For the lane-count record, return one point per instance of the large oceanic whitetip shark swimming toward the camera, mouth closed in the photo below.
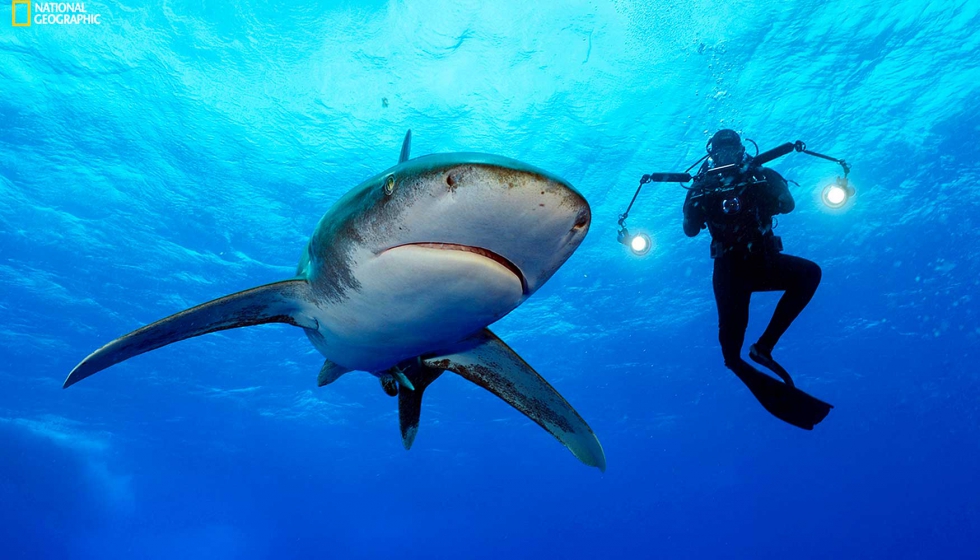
(401, 278)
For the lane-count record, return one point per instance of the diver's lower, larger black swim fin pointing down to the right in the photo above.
(783, 401)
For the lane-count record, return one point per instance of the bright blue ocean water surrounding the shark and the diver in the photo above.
(180, 151)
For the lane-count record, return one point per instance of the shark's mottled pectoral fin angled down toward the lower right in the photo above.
(485, 360)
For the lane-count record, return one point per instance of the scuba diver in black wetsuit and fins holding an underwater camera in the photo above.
(737, 206)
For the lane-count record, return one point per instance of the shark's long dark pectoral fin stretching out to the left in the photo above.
(281, 302)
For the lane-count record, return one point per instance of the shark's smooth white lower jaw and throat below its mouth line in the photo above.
(414, 300)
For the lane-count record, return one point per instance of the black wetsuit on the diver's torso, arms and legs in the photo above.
(738, 211)
